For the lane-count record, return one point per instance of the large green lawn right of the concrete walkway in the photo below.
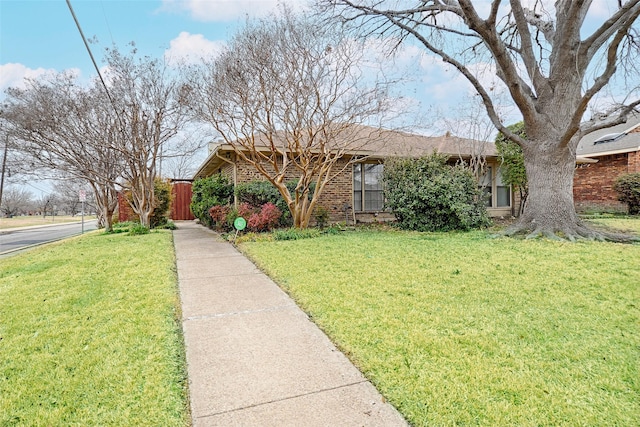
(461, 329)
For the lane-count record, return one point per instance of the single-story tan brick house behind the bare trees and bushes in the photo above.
(356, 194)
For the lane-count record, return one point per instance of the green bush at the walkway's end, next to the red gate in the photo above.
(208, 192)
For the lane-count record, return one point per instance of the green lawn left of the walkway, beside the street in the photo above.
(89, 334)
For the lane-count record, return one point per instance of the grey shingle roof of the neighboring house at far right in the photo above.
(624, 138)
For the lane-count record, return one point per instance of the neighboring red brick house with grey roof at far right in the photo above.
(602, 157)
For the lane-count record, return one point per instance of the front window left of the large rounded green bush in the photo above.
(367, 187)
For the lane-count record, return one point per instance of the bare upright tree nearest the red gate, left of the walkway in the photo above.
(151, 102)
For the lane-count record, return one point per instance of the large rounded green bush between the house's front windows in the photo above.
(427, 194)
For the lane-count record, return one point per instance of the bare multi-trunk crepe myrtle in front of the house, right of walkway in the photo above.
(290, 96)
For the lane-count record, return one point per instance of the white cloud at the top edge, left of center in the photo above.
(225, 10)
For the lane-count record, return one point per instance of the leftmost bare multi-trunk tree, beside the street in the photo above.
(67, 129)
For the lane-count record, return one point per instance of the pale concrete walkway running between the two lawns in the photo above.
(254, 358)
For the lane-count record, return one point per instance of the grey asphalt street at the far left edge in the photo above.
(17, 239)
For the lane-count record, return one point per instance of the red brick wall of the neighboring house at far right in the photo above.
(593, 182)
